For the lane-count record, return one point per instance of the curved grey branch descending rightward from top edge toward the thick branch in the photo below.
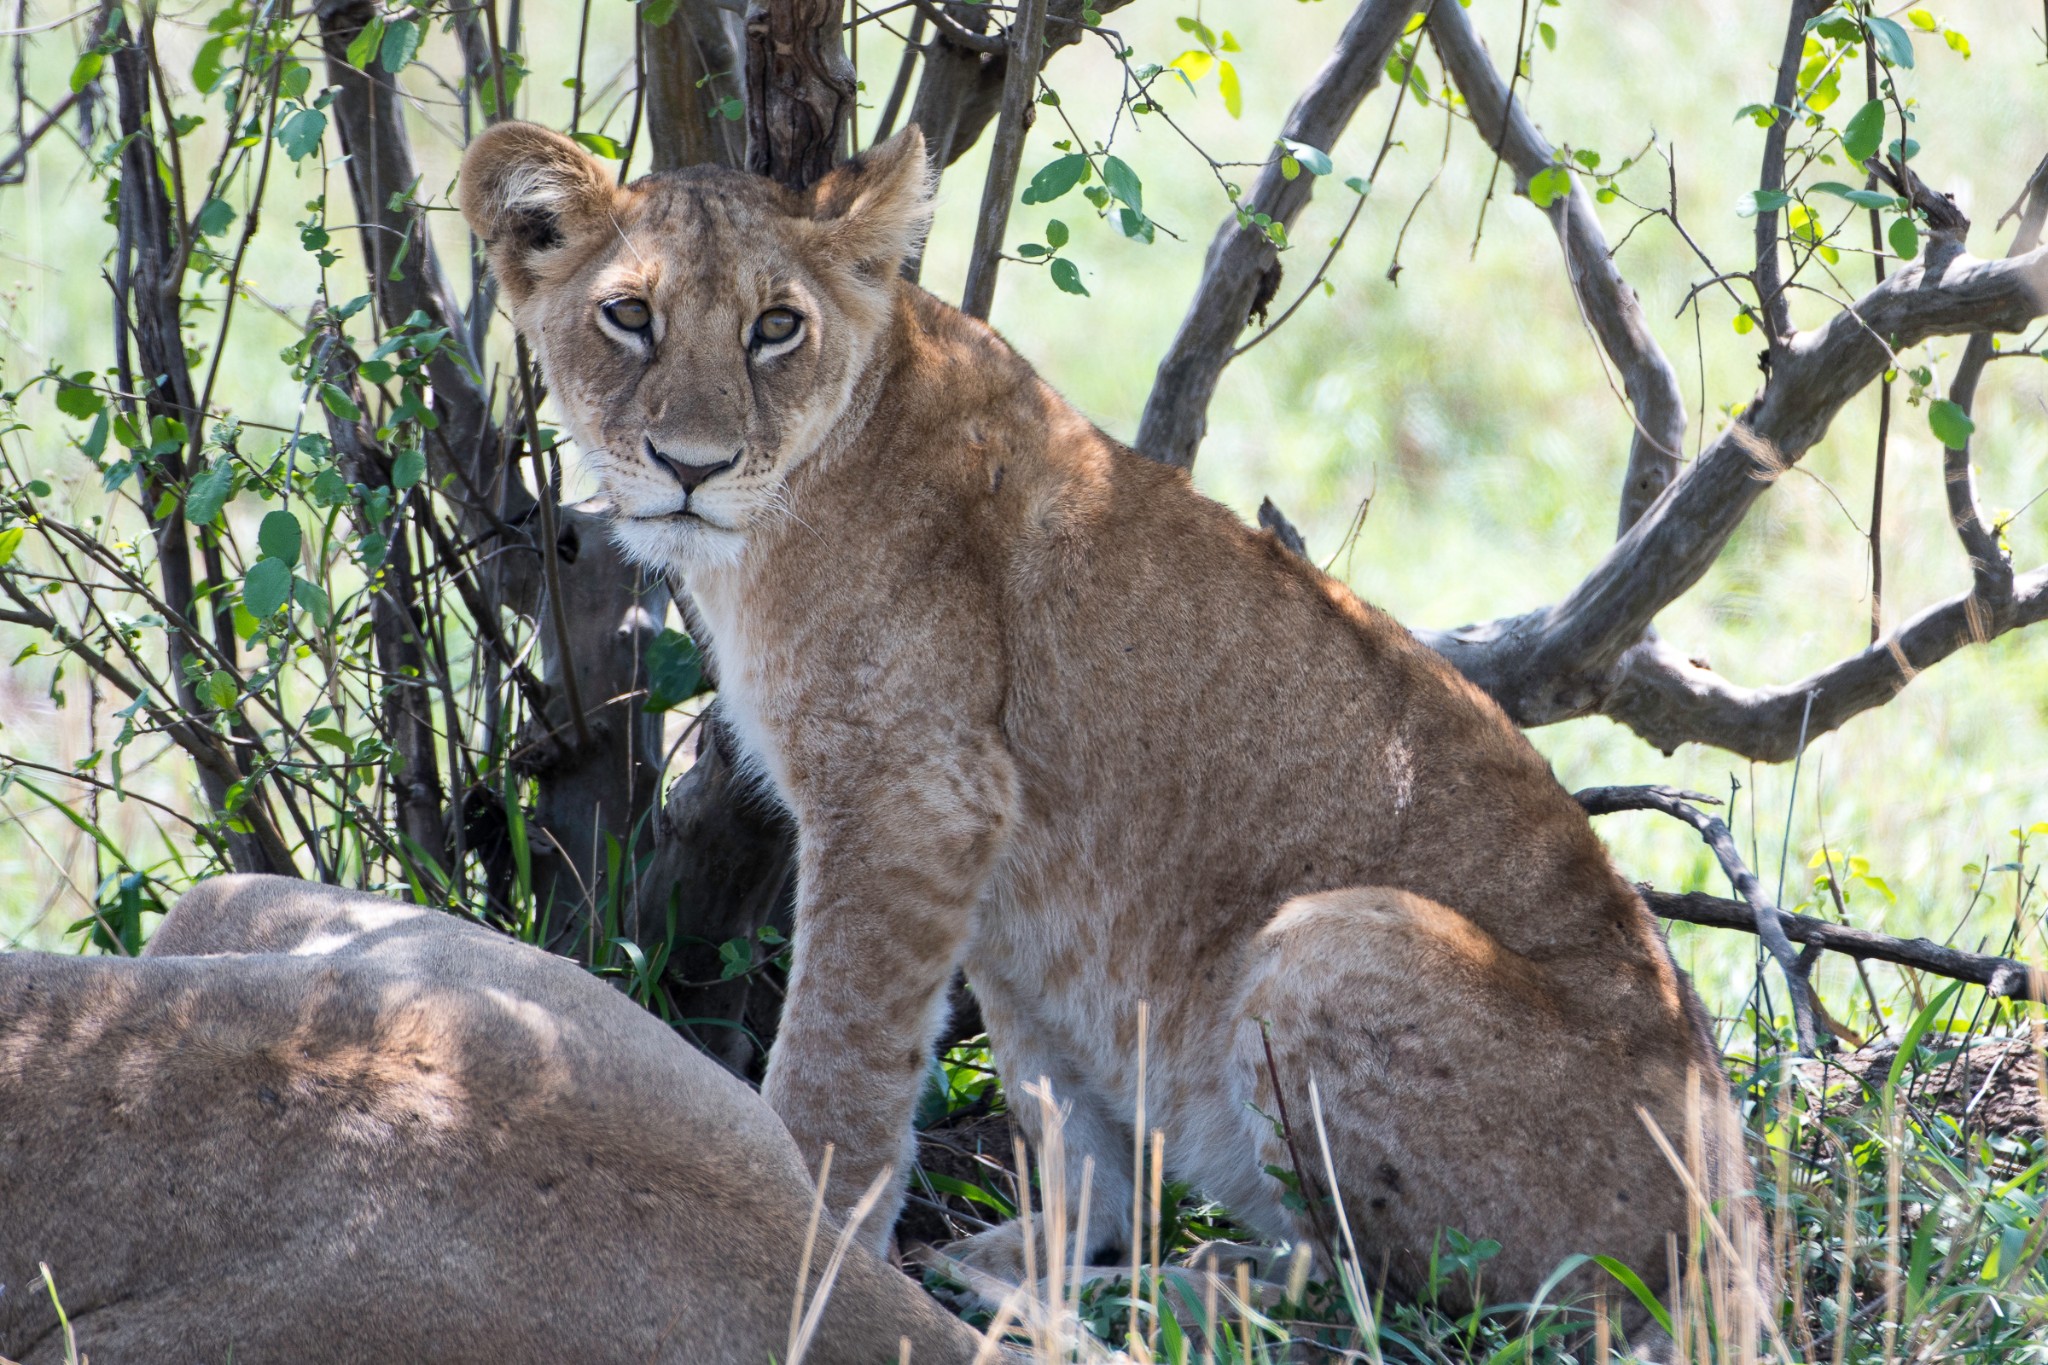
(1607, 302)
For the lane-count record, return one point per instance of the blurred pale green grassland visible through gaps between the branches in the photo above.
(1467, 402)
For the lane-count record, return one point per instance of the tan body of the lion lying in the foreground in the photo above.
(380, 1135)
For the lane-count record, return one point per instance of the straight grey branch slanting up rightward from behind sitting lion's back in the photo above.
(1242, 257)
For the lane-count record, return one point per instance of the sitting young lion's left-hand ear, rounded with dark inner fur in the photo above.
(525, 191)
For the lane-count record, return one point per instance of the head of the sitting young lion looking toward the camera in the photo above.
(701, 331)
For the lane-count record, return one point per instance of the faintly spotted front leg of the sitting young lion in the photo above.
(886, 899)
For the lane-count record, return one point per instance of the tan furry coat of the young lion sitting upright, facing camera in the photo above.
(1046, 713)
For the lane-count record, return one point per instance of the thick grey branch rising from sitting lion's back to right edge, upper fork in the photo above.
(1560, 662)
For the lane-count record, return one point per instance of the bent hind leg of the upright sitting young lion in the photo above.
(1455, 1090)
